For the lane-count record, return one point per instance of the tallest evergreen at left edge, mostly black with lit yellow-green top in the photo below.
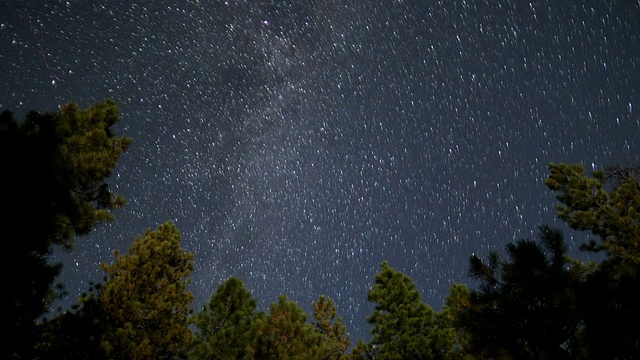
(52, 189)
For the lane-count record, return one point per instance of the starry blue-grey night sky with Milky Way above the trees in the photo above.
(298, 144)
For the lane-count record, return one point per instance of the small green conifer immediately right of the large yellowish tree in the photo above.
(227, 325)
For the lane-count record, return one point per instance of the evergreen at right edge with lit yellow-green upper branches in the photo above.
(606, 204)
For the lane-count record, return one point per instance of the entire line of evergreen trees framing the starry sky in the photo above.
(531, 301)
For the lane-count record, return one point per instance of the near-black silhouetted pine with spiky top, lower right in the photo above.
(527, 307)
